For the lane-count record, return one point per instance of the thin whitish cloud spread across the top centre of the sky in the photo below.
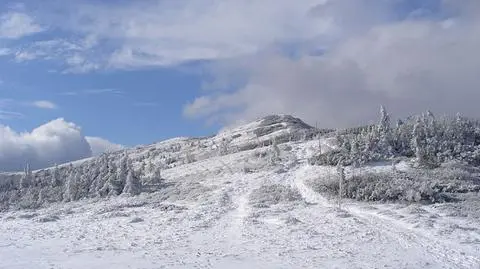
(162, 33)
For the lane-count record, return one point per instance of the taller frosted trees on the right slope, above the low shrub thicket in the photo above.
(430, 140)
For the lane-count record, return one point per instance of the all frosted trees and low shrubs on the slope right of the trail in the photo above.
(446, 151)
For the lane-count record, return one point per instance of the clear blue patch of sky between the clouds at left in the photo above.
(131, 107)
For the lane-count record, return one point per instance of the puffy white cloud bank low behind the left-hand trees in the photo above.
(57, 141)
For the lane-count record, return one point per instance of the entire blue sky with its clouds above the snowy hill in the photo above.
(136, 72)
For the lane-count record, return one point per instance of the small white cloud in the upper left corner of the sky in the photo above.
(14, 25)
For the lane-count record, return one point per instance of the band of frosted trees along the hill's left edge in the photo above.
(105, 176)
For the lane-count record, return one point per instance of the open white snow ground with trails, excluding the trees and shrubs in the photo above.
(242, 210)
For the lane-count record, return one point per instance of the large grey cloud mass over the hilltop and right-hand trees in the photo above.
(409, 66)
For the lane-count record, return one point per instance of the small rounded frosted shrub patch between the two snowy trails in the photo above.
(268, 195)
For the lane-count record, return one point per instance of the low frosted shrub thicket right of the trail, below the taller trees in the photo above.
(436, 185)
